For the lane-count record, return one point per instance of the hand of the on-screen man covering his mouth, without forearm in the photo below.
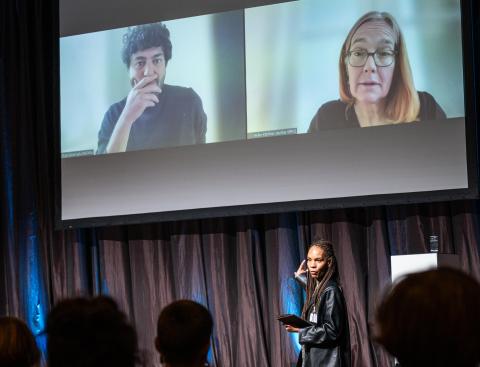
(141, 96)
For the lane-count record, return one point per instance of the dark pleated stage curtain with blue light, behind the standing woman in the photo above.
(240, 267)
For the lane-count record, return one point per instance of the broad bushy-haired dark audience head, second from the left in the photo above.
(92, 332)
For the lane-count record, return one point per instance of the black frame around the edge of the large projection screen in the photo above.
(470, 36)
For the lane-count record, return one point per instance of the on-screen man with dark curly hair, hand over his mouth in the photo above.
(153, 114)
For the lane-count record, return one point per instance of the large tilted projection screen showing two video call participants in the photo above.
(259, 108)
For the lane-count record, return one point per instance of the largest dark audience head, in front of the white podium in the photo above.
(431, 319)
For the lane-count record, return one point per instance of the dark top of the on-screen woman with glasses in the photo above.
(339, 115)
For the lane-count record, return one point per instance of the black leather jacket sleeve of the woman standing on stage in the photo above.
(330, 321)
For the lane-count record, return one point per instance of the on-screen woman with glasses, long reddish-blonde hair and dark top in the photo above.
(376, 84)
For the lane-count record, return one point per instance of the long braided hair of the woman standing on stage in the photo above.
(315, 287)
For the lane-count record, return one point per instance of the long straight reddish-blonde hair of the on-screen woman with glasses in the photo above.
(402, 102)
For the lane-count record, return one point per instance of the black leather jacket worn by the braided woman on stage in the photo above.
(327, 343)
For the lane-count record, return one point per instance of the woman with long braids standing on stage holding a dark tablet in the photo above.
(326, 342)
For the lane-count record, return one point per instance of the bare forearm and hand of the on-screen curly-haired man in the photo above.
(141, 96)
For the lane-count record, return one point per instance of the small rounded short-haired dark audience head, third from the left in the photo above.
(183, 334)
